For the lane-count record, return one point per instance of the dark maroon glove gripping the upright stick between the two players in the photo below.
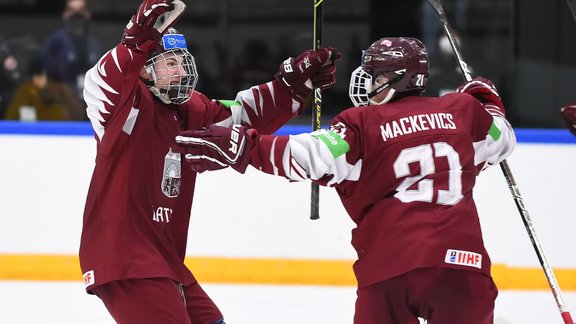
(299, 73)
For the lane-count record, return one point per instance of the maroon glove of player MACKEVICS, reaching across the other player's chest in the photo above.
(217, 147)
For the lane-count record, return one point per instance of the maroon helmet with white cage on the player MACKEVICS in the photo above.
(403, 60)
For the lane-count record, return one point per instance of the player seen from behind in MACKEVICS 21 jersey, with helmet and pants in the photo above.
(404, 167)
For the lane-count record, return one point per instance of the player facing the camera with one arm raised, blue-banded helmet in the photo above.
(139, 96)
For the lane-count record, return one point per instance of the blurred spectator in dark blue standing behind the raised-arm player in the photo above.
(72, 50)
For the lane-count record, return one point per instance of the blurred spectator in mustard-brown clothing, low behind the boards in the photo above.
(41, 99)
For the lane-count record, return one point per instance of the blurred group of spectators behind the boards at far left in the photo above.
(45, 81)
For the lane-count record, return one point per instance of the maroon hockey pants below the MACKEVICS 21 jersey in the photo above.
(442, 296)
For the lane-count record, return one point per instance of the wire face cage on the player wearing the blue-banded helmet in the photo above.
(173, 76)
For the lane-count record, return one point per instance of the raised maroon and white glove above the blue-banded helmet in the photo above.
(151, 20)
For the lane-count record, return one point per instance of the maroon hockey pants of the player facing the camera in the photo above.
(157, 300)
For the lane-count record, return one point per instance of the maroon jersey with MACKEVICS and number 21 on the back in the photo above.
(404, 172)
